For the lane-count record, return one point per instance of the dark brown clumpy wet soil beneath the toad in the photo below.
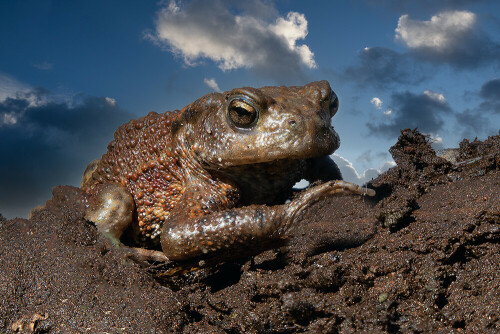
(423, 256)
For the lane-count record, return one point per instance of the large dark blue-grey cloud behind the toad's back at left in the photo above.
(46, 142)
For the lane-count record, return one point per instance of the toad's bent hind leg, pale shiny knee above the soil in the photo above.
(110, 207)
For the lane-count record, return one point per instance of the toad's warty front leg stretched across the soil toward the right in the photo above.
(243, 231)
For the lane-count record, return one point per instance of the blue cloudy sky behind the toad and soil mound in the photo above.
(72, 71)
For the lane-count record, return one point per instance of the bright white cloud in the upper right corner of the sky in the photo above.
(443, 32)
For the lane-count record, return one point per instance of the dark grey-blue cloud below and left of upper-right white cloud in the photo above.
(382, 67)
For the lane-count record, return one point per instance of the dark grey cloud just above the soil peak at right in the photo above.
(423, 111)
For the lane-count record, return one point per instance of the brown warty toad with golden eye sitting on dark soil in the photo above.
(212, 180)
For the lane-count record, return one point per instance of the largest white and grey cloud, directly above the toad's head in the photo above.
(235, 37)
